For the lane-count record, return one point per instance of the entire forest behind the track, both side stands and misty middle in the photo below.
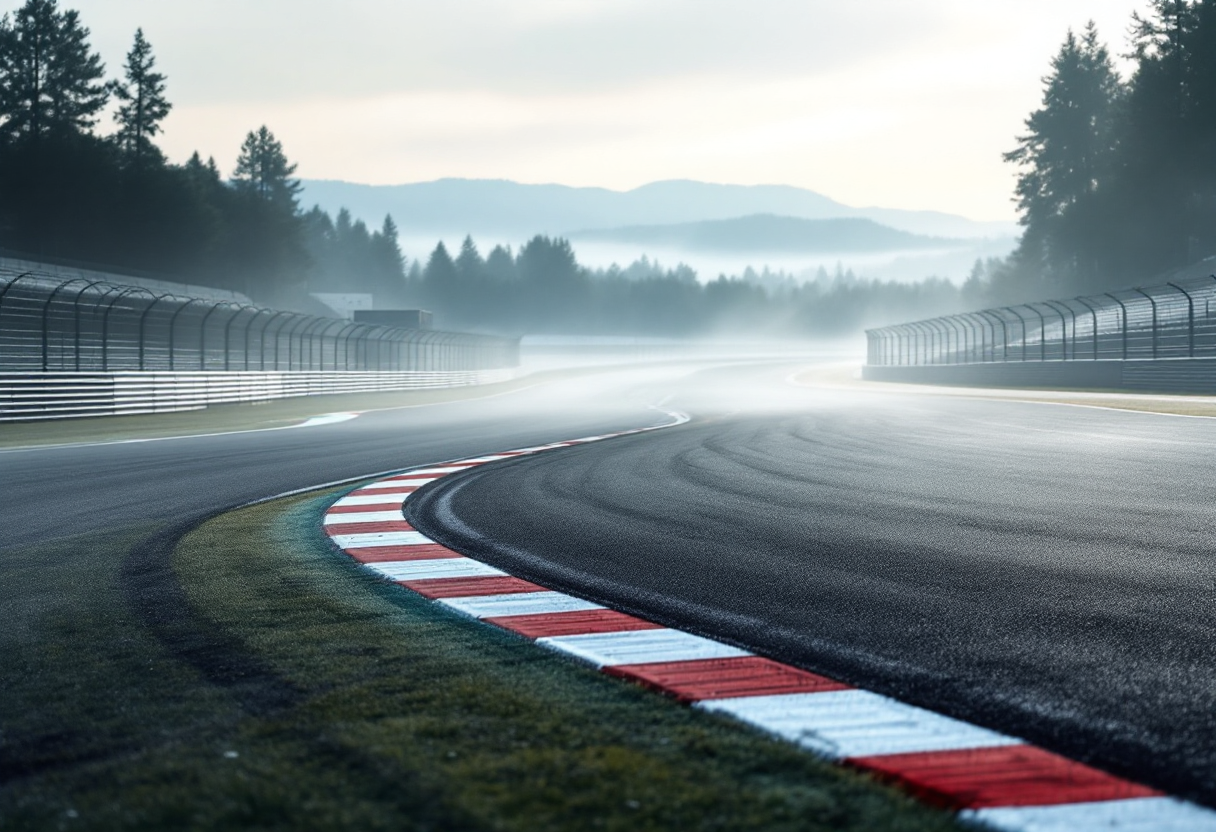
(1117, 184)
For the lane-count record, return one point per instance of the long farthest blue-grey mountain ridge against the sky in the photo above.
(506, 210)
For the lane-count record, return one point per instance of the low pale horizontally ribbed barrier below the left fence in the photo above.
(37, 396)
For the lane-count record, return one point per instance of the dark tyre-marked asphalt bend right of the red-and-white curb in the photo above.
(1042, 570)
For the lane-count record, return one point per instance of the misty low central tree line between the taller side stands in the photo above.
(544, 289)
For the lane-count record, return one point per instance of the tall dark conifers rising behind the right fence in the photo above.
(1117, 178)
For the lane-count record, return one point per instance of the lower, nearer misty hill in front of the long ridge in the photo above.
(770, 234)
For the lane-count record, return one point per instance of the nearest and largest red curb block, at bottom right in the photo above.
(1003, 777)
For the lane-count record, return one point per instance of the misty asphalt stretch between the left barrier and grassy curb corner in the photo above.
(53, 493)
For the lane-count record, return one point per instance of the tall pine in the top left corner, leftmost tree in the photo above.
(50, 82)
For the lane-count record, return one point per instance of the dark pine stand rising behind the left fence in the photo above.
(70, 193)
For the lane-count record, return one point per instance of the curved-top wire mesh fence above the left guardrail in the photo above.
(75, 324)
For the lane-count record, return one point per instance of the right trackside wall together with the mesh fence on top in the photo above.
(1161, 339)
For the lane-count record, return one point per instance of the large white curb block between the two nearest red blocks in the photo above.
(841, 724)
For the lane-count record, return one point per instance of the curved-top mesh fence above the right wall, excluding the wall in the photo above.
(1175, 321)
